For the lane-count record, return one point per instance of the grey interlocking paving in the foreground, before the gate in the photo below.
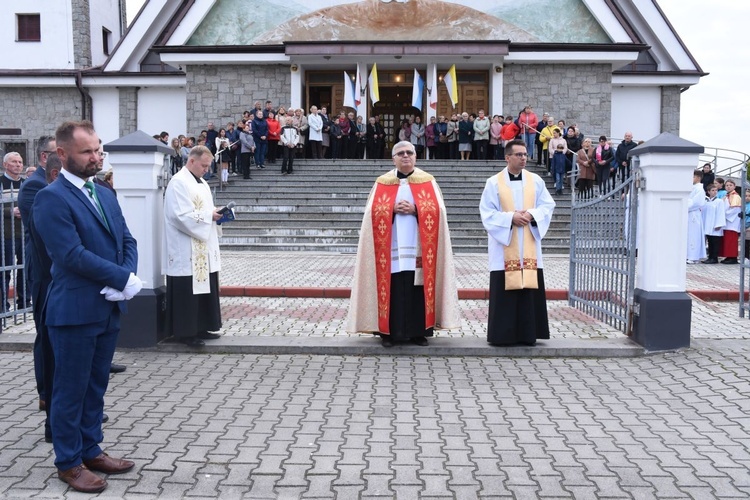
(671, 425)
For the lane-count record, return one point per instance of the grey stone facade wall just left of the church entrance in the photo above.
(221, 93)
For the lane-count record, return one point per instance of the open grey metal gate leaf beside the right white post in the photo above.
(603, 251)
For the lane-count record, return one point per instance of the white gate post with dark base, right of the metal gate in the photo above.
(662, 308)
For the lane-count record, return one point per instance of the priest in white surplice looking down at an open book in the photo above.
(191, 253)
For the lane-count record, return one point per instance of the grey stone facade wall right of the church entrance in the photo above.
(576, 93)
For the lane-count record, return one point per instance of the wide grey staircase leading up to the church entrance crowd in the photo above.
(320, 206)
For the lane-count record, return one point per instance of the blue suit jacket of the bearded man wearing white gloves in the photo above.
(85, 256)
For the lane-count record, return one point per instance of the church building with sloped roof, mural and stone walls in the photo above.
(608, 66)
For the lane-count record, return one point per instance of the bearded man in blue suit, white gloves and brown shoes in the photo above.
(94, 260)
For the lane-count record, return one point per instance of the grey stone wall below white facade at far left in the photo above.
(37, 111)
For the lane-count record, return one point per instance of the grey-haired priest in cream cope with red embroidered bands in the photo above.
(404, 280)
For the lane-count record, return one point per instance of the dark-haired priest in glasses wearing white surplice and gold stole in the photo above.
(516, 210)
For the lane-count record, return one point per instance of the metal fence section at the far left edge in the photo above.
(15, 294)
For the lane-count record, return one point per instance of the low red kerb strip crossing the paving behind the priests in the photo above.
(463, 293)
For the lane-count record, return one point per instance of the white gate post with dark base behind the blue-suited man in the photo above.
(138, 164)
